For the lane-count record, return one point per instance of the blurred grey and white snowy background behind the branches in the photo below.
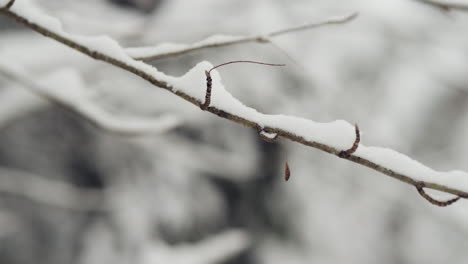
(211, 191)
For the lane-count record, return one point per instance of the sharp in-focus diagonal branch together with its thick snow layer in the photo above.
(333, 137)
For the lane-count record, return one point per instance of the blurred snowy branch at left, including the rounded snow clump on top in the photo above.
(73, 98)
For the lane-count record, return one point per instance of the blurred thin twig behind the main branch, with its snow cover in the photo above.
(165, 50)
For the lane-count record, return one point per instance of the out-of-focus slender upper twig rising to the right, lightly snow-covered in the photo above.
(259, 38)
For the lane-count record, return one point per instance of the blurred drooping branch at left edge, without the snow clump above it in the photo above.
(94, 114)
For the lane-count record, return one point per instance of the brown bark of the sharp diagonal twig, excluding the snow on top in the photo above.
(286, 133)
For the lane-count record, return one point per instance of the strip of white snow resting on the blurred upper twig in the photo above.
(169, 47)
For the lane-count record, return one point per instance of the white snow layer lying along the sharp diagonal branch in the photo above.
(338, 134)
